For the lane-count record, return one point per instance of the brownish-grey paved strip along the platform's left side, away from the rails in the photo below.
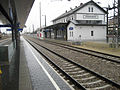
(24, 75)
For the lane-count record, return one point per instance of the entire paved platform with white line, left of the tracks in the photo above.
(35, 73)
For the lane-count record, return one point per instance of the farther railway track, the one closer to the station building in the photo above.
(105, 56)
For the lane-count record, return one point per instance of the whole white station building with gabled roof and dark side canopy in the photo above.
(84, 22)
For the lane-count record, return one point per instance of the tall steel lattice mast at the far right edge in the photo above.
(115, 26)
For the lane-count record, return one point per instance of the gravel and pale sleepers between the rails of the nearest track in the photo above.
(102, 85)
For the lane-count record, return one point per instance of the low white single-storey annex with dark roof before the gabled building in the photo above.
(82, 32)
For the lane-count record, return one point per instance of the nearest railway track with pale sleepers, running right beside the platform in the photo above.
(79, 75)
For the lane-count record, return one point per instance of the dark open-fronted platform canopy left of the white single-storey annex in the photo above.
(56, 31)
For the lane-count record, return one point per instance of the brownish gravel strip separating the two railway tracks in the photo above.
(108, 69)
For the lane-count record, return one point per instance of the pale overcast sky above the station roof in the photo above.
(53, 9)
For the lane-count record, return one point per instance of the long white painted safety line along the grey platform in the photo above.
(51, 79)
